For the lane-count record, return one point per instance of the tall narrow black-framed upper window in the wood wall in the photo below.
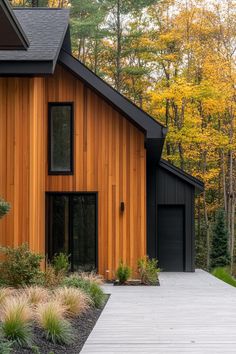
(60, 138)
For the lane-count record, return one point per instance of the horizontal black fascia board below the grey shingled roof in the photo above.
(10, 68)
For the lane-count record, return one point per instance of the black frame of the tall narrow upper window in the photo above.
(50, 170)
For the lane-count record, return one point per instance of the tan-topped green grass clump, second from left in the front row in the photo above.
(50, 318)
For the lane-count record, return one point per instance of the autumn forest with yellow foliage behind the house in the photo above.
(176, 60)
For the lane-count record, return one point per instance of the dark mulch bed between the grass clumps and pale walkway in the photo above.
(82, 327)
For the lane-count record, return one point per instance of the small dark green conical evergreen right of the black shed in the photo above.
(219, 252)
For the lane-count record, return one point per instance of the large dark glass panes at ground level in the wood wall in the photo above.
(72, 226)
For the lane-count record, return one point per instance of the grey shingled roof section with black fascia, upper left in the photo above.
(45, 30)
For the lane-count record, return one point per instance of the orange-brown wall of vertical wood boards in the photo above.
(109, 158)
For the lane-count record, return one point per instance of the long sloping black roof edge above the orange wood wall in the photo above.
(153, 129)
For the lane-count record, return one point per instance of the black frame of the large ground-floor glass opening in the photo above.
(48, 194)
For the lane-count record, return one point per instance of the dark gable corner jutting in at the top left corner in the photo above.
(12, 35)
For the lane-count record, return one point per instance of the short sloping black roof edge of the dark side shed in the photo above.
(195, 182)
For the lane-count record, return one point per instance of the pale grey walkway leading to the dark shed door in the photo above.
(188, 313)
